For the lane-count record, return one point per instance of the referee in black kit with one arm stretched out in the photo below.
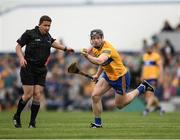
(33, 72)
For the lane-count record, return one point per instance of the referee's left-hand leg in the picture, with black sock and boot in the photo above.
(28, 92)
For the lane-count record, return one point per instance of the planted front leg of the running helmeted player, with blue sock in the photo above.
(100, 88)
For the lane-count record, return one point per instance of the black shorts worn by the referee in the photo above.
(33, 75)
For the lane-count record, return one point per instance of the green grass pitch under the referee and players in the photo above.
(75, 125)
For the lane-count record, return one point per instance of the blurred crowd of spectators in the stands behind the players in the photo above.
(65, 91)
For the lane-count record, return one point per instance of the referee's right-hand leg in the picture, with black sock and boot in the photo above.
(38, 90)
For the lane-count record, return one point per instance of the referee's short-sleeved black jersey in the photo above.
(38, 46)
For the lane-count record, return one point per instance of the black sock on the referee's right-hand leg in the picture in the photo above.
(34, 111)
